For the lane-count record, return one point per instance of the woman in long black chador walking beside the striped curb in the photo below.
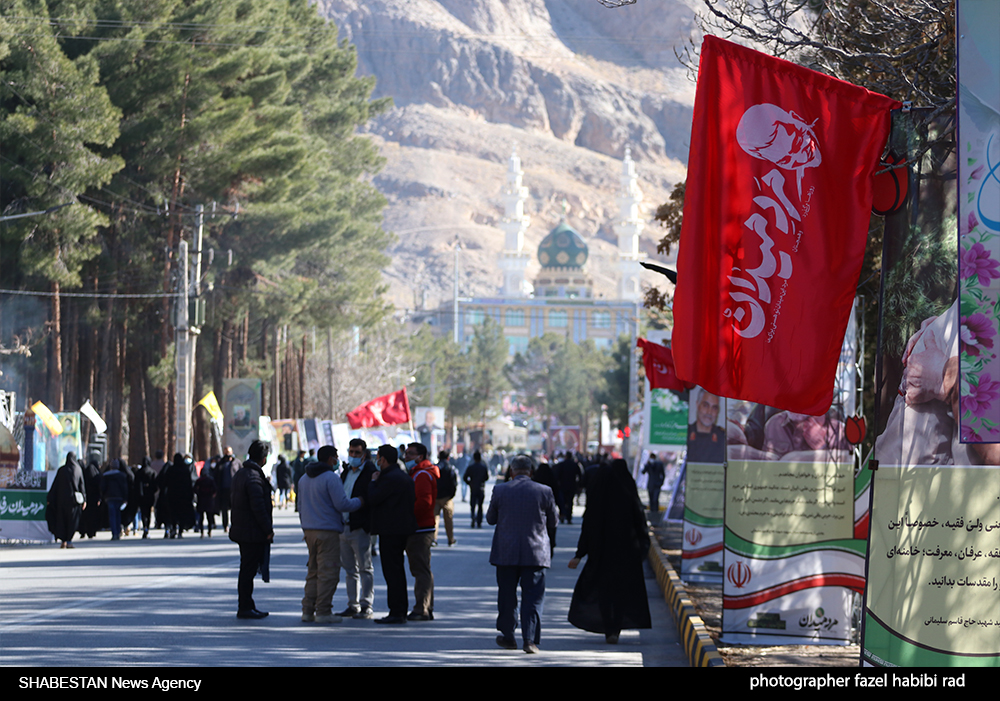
(610, 594)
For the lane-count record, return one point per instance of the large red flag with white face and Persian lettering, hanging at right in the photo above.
(779, 195)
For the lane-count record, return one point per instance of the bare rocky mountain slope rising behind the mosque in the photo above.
(570, 83)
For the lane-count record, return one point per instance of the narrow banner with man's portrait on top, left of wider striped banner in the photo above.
(704, 490)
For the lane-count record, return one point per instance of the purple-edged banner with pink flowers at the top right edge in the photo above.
(979, 218)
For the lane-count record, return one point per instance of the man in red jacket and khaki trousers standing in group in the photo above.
(418, 546)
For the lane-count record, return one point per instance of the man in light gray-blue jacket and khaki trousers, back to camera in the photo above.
(322, 503)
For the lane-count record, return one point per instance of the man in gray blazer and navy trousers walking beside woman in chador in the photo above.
(524, 513)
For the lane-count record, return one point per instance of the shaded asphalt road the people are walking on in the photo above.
(172, 603)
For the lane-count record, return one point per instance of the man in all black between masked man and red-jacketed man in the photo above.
(391, 497)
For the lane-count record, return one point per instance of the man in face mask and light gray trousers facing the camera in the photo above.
(356, 541)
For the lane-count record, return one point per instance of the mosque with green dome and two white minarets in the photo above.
(561, 298)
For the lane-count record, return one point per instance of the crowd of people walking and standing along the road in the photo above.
(396, 498)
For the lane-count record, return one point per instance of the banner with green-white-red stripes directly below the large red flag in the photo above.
(795, 512)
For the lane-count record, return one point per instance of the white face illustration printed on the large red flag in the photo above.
(770, 133)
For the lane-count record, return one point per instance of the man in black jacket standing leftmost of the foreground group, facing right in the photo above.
(252, 526)
